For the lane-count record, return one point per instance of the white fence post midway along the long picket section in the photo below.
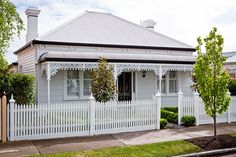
(92, 114)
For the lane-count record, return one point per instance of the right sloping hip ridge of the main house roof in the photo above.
(152, 31)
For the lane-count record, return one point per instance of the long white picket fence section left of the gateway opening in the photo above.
(44, 121)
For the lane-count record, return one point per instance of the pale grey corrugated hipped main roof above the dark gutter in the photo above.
(104, 28)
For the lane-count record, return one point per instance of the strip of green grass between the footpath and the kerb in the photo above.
(162, 149)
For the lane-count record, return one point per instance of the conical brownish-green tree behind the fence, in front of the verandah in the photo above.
(103, 85)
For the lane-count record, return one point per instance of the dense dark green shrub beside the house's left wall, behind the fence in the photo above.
(22, 88)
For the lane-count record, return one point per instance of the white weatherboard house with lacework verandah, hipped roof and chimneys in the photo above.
(62, 59)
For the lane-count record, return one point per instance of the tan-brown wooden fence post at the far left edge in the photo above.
(4, 118)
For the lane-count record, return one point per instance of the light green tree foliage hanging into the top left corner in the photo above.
(10, 24)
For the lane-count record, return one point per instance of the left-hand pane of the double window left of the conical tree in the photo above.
(72, 83)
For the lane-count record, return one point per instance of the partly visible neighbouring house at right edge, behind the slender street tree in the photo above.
(231, 63)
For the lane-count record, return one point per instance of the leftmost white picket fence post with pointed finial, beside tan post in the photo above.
(12, 129)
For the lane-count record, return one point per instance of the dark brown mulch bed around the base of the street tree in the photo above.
(210, 143)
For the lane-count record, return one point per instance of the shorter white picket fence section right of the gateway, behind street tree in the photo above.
(193, 106)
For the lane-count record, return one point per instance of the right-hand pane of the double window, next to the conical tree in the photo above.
(87, 81)
